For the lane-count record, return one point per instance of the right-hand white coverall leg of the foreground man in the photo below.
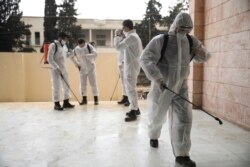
(180, 122)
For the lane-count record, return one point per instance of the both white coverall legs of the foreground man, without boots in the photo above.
(180, 118)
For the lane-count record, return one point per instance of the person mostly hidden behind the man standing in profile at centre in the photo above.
(118, 37)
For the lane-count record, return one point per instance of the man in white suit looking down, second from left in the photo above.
(84, 58)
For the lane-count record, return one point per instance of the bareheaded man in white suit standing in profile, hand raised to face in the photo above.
(132, 47)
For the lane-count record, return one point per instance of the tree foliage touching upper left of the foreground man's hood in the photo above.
(182, 5)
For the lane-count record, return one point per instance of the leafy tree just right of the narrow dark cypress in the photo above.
(67, 21)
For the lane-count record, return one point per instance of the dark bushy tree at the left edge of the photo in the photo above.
(12, 29)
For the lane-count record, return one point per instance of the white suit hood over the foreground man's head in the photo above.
(181, 20)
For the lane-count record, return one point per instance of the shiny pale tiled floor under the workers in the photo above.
(33, 135)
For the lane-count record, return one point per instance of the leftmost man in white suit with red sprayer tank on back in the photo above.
(59, 74)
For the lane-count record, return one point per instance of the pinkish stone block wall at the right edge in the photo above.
(226, 76)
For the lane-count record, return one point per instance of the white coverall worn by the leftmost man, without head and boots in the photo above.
(56, 59)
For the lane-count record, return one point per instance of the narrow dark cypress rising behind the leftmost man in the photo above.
(50, 20)
